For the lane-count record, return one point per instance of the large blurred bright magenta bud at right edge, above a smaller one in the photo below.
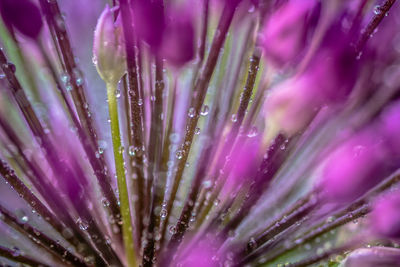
(365, 159)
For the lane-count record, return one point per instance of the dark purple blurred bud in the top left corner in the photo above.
(22, 15)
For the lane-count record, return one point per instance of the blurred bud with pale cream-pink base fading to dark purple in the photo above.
(328, 80)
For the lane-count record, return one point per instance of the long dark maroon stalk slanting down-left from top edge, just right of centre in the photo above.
(200, 90)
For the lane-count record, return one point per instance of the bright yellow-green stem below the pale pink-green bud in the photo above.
(127, 232)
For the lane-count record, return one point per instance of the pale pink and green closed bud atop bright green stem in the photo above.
(108, 48)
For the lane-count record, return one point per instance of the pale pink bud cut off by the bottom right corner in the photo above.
(372, 257)
